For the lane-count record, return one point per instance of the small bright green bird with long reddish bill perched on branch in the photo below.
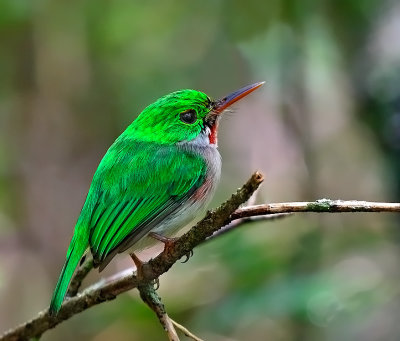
(157, 175)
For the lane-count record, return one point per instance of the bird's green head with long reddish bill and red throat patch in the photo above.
(184, 116)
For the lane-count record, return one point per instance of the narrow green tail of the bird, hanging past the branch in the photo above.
(74, 254)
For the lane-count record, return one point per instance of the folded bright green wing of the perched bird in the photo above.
(135, 187)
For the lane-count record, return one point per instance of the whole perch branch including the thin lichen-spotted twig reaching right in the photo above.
(109, 289)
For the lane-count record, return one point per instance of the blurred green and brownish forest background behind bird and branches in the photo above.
(74, 74)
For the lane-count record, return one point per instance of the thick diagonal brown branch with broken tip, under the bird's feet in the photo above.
(109, 289)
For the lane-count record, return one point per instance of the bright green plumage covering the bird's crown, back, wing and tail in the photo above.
(141, 180)
